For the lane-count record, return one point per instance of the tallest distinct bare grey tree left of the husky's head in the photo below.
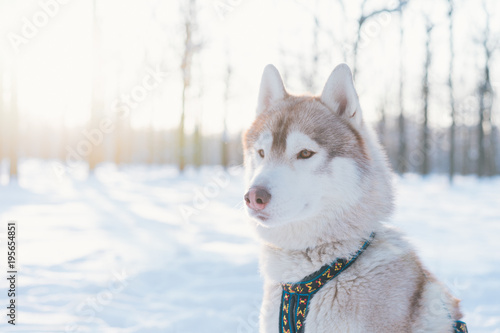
(190, 48)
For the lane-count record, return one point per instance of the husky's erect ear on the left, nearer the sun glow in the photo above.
(271, 89)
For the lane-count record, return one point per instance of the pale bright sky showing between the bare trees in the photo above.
(54, 64)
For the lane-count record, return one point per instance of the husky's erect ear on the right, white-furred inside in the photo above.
(340, 96)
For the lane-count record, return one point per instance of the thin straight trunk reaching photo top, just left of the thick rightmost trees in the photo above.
(452, 96)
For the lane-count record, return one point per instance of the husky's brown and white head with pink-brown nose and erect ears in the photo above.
(312, 165)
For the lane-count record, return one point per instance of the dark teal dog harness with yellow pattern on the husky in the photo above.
(296, 297)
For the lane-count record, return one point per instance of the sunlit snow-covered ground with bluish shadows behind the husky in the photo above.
(142, 249)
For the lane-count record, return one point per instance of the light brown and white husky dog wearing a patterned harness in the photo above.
(318, 186)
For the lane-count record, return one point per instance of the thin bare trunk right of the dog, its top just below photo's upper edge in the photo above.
(425, 167)
